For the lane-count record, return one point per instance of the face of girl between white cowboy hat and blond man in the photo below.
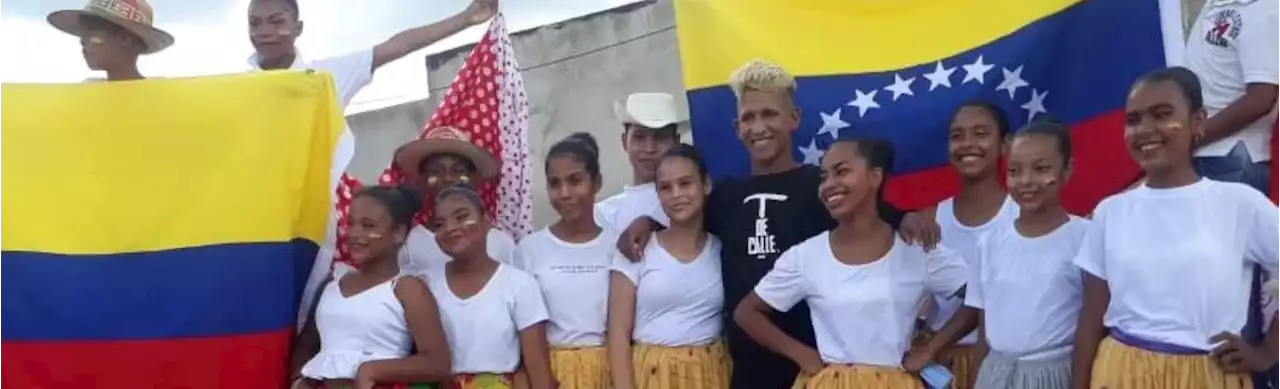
(682, 190)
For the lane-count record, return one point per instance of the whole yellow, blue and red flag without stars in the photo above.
(159, 234)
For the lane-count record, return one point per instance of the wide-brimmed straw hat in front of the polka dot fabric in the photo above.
(446, 140)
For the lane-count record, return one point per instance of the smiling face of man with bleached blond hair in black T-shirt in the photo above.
(765, 125)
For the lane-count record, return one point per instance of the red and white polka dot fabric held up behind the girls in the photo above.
(488, 102)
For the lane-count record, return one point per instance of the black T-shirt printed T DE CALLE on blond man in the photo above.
(757, 219)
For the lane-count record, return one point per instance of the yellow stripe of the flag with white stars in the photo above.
(820, 38)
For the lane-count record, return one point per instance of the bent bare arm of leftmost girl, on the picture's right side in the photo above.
(431, 364)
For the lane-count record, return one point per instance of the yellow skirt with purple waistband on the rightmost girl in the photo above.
(1121, 367)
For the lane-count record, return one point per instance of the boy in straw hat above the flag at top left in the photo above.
(113, 35)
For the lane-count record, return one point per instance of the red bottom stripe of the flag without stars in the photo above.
(254, 361)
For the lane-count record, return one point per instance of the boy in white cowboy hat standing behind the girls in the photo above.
(650, 129)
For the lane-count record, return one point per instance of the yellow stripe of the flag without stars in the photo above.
(111, 168)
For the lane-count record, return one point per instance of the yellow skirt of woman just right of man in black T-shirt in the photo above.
(857, 377)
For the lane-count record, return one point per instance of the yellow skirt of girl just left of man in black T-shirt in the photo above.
(680, 368)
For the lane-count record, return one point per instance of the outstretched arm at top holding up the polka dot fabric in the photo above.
(419, 38)
